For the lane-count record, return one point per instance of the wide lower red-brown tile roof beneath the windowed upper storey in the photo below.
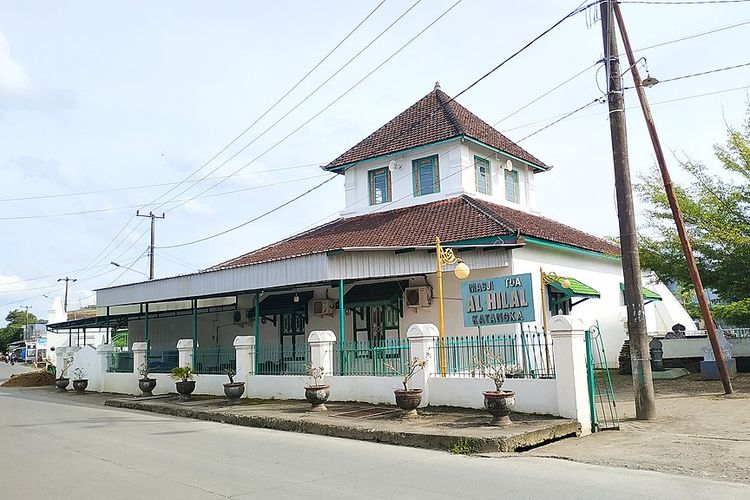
(454, 219)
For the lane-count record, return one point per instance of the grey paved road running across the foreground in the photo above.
(68, 449)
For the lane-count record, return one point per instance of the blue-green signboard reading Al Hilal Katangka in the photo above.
(498, 301)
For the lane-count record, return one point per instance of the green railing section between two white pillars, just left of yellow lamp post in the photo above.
(367, 358)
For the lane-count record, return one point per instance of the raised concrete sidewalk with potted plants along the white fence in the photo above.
(459, 430)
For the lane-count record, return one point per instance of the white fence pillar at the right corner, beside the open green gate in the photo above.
(569, 346)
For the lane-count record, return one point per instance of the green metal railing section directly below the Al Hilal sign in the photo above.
(525, 355)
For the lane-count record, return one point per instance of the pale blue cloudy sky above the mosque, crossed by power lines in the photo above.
(105, 107)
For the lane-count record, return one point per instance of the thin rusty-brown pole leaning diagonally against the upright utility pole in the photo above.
(675, 207)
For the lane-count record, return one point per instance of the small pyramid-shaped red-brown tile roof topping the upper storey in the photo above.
(433, 118)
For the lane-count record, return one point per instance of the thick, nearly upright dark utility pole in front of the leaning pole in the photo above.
(643, 385)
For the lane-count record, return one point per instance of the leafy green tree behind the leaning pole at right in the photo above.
(716, 208)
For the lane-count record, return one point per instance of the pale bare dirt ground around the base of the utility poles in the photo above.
(699, 431)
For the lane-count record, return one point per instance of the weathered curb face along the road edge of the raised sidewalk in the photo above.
(413, 439)
